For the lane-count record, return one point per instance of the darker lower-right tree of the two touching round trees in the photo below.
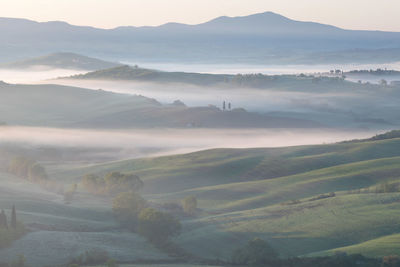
(157, 226)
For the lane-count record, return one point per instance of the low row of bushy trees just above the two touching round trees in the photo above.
(112, 183)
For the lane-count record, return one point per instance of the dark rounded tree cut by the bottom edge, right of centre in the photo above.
(257, 251)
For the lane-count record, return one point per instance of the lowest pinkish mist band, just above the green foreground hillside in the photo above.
(122, 144)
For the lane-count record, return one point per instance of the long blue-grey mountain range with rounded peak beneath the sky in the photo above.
(261, 38)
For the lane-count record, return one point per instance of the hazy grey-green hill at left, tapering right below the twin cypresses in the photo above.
(62, 106)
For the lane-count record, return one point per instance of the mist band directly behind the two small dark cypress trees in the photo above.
(257, 100)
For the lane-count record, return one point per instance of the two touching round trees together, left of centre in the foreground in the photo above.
(134, 213)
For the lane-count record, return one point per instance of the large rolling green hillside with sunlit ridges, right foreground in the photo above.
(307, 200)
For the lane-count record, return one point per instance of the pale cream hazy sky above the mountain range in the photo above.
(351, 14)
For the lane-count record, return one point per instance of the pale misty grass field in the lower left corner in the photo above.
(59, 232)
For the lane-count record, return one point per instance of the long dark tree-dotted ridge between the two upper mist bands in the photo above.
(283, 82)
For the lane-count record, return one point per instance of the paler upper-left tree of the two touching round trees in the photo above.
(126, 208)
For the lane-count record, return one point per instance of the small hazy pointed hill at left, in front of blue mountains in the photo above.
(61, 61)
